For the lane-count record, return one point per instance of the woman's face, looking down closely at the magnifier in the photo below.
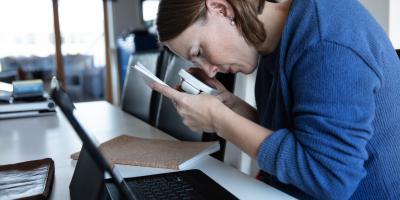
(215, 45)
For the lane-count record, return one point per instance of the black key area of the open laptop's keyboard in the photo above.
(166, 187)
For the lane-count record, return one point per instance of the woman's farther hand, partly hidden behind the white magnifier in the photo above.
(224, 95)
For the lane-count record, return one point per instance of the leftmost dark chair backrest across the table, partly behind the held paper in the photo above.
(137, 97)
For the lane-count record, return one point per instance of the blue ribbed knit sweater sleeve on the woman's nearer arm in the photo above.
(333, 108)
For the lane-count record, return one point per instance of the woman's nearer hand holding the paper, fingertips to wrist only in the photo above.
(197, 111)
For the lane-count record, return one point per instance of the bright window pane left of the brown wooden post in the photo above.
(26, 38)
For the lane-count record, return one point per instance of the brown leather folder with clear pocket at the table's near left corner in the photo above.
(27, 180)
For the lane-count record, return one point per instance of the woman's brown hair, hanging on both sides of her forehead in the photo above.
(174, 16)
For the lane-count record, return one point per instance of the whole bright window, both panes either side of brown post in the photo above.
(28, 43)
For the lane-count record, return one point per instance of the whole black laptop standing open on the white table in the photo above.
(92, 166)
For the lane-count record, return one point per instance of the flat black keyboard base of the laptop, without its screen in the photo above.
(189, 184)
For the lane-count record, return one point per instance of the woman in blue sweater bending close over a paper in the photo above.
(327, 90)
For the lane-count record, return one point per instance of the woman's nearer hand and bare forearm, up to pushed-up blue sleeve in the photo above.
(206, 113)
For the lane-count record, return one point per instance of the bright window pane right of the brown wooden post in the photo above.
(83, 48)
